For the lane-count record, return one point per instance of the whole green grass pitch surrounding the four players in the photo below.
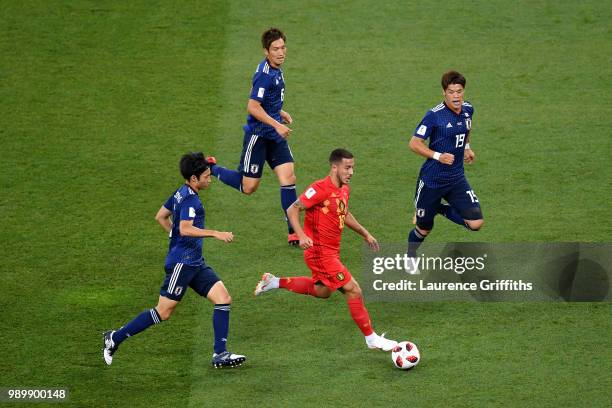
(99, 99)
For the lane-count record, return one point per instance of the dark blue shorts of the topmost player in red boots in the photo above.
(257, 149)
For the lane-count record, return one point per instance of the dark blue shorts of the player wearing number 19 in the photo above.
(459, 195)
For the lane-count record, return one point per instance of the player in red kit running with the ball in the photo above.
(326, 206)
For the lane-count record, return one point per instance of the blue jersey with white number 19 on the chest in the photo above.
(447, 132)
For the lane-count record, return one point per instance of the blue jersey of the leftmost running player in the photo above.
(185, 204)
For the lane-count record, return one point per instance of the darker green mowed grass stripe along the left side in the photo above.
(102, 101)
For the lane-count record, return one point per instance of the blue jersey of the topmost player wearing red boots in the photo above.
(268, 89)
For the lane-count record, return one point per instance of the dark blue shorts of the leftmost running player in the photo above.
(179, 276)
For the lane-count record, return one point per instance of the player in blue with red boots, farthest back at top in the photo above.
(266, 133)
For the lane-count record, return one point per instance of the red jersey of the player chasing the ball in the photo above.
(326, 208)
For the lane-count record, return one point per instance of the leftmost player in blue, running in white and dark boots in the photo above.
(185, 266)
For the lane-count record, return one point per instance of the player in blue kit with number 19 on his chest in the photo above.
(448, 128)
